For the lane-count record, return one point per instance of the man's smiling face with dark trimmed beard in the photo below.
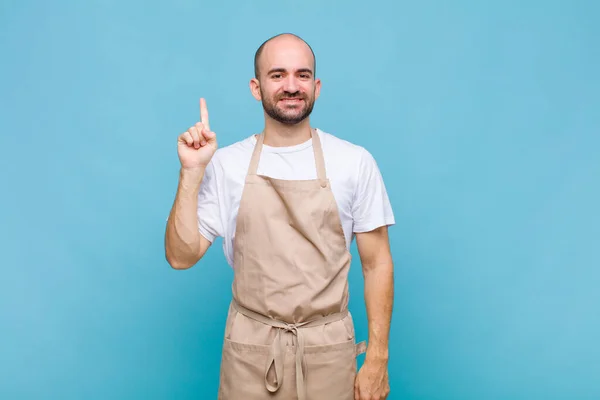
(288, 89)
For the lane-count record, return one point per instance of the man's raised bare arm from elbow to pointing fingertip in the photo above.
(184, 245)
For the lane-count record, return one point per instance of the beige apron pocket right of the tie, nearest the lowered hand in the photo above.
(331, 370)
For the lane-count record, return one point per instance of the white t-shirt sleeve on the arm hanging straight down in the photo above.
(371, 208)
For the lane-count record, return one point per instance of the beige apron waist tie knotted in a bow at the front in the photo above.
(277, 350)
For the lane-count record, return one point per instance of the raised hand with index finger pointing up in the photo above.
(197, 145)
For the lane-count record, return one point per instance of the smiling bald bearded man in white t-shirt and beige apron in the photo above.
(288, 202)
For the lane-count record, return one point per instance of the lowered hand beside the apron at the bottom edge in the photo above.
(371, 382)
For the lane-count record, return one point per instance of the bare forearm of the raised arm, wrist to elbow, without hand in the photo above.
(182, 239)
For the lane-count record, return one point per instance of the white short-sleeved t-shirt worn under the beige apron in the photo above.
(356, 182)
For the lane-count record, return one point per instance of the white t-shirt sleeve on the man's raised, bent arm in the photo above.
(209, 210)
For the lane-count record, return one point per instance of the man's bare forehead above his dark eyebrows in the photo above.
(288, 53)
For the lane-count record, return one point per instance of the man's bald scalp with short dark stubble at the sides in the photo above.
(276, 45)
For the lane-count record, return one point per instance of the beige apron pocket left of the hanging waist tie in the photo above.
(243, 371)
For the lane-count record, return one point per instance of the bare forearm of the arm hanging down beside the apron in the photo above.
(379, 296)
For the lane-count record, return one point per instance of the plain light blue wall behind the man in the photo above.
(483, 117)
